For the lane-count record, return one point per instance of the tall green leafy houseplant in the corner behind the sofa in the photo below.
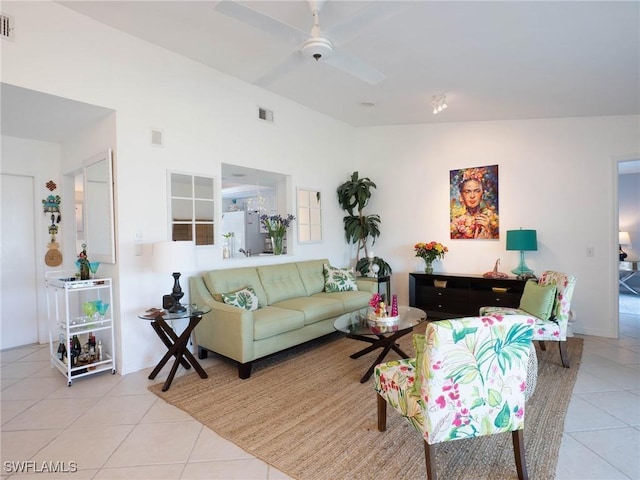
(353, 197)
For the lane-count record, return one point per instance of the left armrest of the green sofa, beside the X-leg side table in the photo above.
(225, 329)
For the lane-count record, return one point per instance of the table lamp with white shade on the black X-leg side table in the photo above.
(174, 257)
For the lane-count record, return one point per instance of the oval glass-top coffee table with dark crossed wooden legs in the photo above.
(355, 325)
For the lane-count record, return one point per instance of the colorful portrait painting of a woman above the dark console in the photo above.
(474, 203)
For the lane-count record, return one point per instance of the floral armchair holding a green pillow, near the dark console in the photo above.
(553, 328)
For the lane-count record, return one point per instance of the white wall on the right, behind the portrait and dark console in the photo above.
(556, 176)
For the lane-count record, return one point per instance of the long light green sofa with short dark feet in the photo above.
(294, 308)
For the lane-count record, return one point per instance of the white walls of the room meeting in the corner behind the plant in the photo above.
(556, 176)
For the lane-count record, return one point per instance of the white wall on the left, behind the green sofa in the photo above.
(207, 119)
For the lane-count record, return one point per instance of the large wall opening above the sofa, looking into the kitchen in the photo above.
(248, 193)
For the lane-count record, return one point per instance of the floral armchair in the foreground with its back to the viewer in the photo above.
(468, 379)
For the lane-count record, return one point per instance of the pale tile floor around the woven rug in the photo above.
(112, 427)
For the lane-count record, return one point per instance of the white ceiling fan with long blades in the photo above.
(315, 45)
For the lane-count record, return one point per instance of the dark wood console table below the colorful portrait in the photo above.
(444, 295)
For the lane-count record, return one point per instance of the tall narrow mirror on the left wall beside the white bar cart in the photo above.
(97, 207)
